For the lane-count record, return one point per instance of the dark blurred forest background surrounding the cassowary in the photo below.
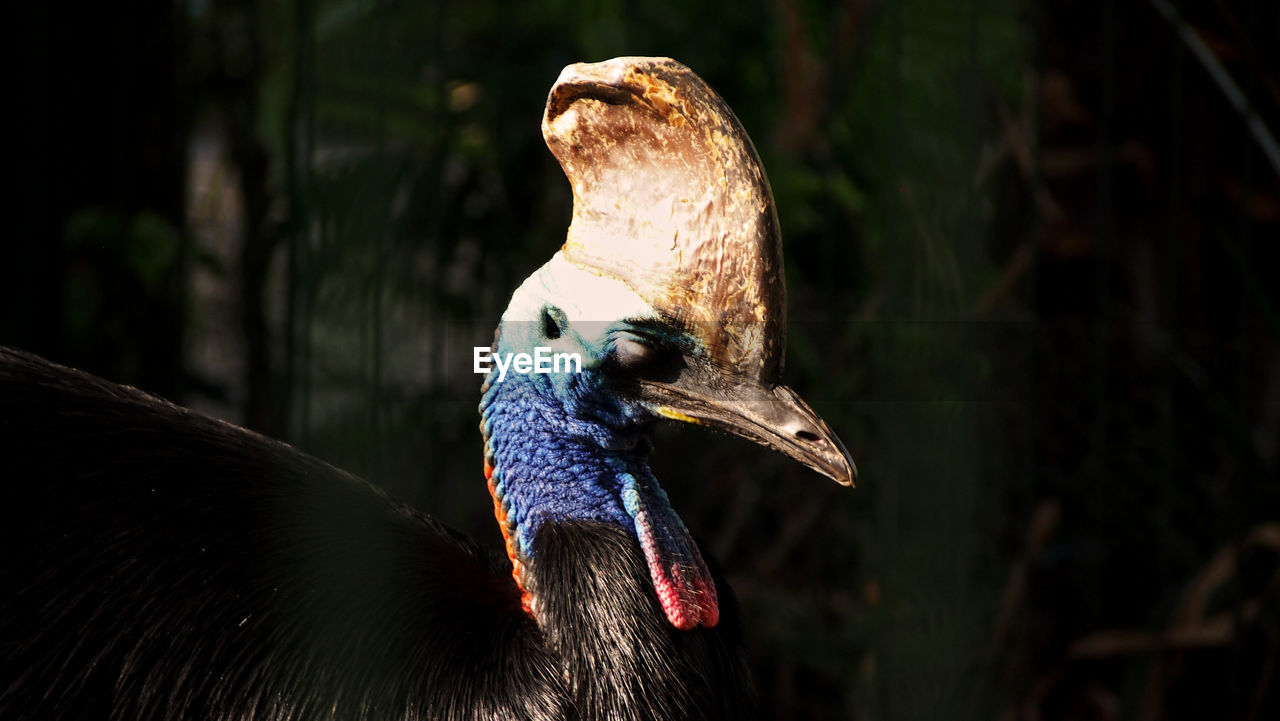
(1032, 253)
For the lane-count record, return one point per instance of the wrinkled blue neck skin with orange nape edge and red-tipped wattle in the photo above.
(564, 451)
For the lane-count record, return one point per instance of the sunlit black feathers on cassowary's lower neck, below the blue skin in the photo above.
(604, 620)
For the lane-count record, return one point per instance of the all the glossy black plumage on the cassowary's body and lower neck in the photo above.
(162, 565)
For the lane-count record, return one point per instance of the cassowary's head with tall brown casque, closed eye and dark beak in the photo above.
(670, 285)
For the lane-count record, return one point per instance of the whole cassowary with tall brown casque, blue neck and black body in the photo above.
(162, 565)
